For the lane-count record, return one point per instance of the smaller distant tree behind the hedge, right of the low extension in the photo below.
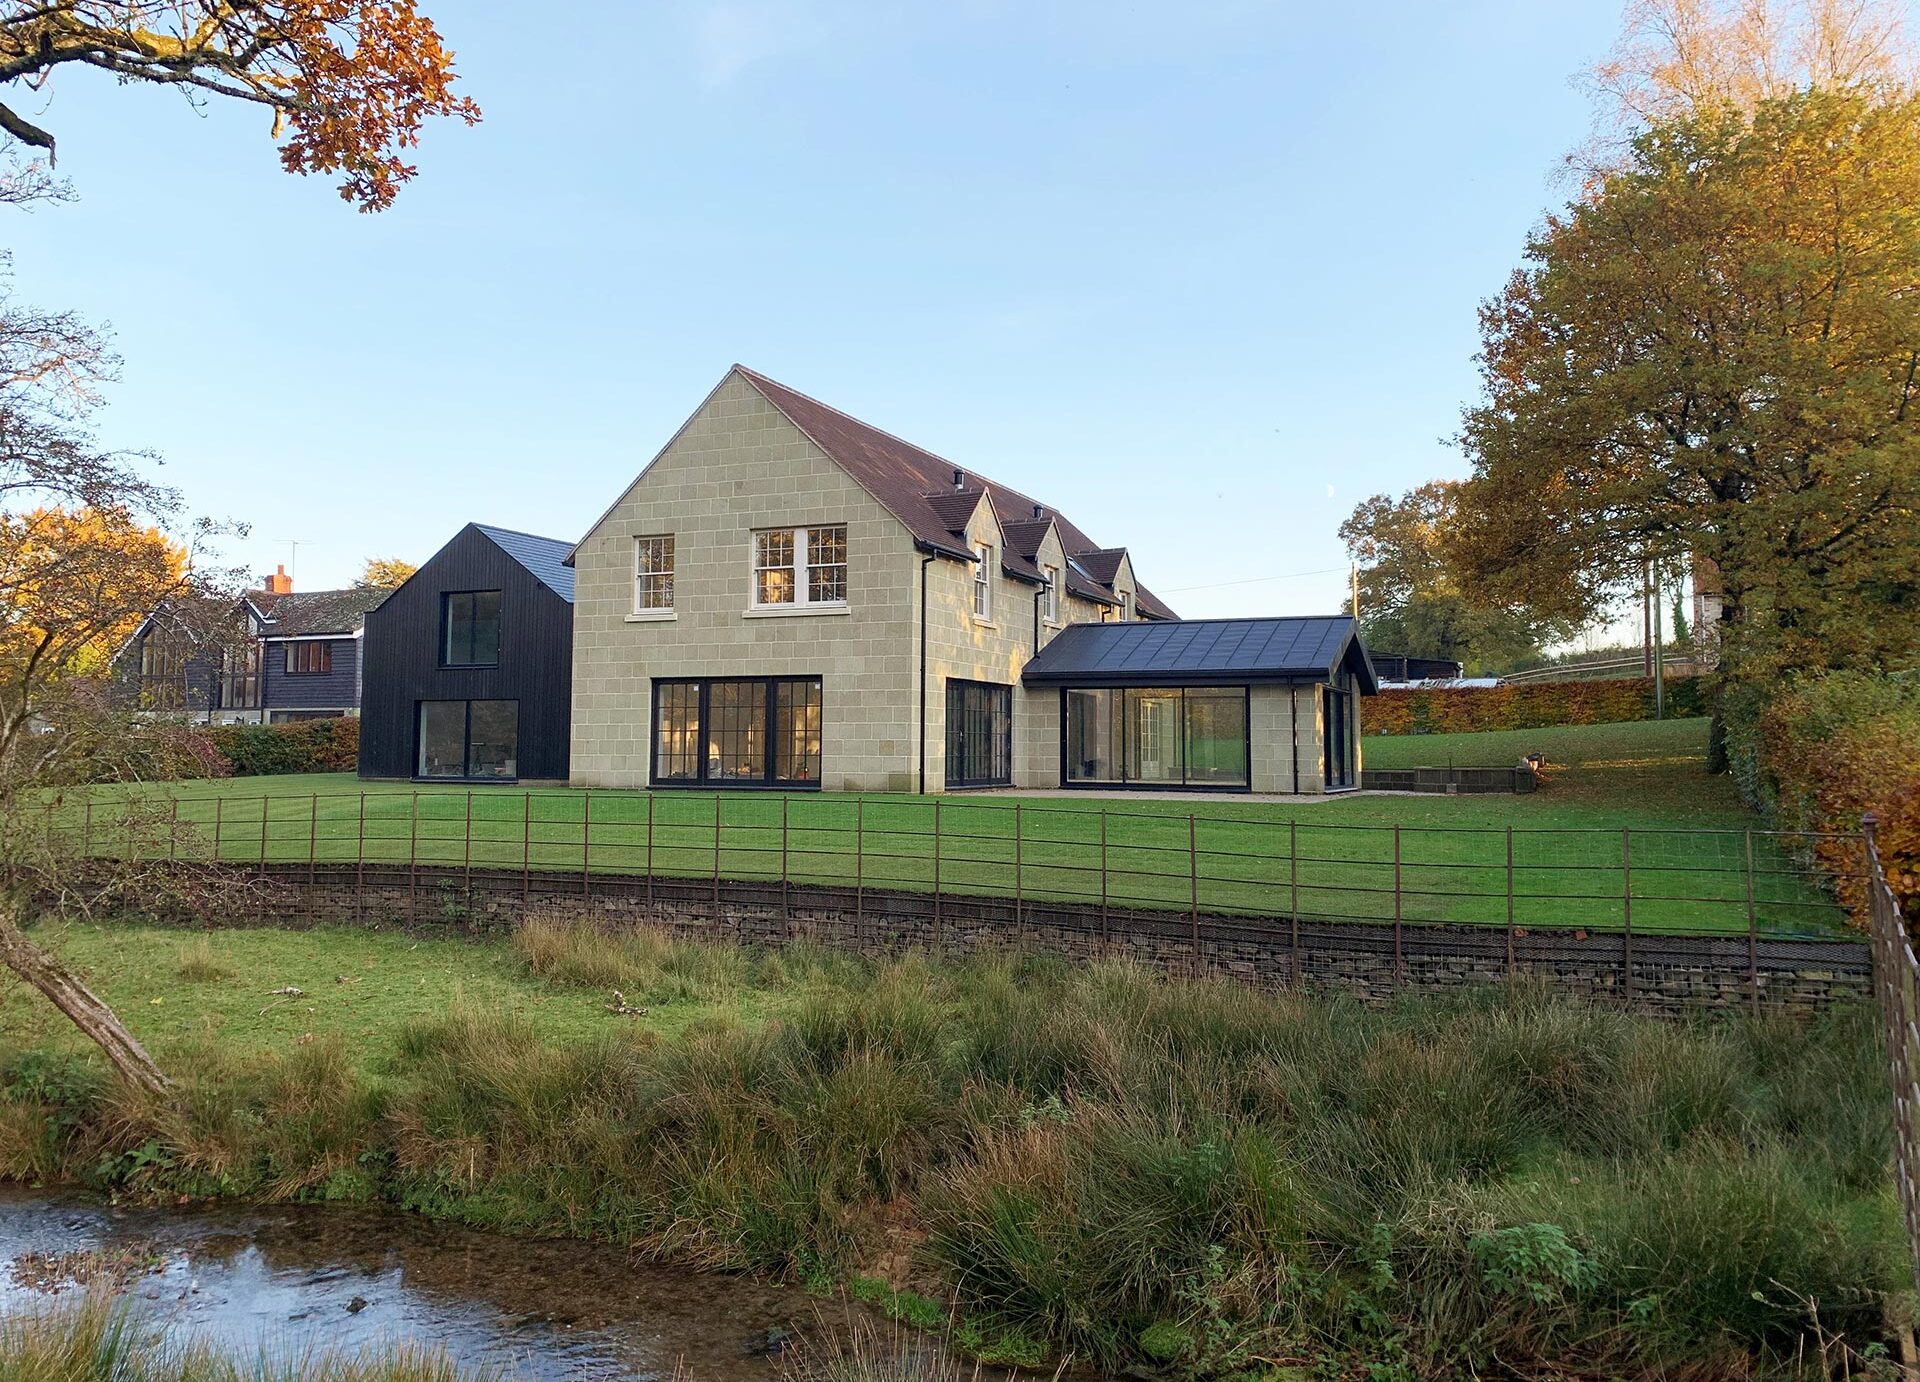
(1412, 604)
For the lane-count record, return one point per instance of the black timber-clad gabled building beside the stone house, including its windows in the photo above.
(469, 665)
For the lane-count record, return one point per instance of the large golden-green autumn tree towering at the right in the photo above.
(1714, 356)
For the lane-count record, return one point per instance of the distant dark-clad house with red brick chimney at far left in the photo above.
(281, 655)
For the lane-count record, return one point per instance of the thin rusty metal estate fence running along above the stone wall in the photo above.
(1224, 863)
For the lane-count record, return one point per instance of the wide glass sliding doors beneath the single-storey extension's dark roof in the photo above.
(1157, 736)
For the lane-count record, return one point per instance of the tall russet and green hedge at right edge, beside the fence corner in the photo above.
(1817, 755)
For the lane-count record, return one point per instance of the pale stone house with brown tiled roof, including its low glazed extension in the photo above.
(790, 598)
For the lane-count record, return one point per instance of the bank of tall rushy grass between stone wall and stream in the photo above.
(1080, 1158)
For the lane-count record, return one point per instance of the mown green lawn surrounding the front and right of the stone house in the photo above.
(1370, 857)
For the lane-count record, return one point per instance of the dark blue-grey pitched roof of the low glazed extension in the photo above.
(1232, 652)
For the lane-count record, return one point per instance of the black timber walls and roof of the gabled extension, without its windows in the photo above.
(537, 652)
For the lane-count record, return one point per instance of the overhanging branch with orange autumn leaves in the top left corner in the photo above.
(348, 83)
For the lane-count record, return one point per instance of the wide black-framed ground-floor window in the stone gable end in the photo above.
(738, 732)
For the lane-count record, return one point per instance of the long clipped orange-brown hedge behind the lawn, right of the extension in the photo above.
(1527, 707)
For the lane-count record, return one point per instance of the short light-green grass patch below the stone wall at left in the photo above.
(358, 986)
